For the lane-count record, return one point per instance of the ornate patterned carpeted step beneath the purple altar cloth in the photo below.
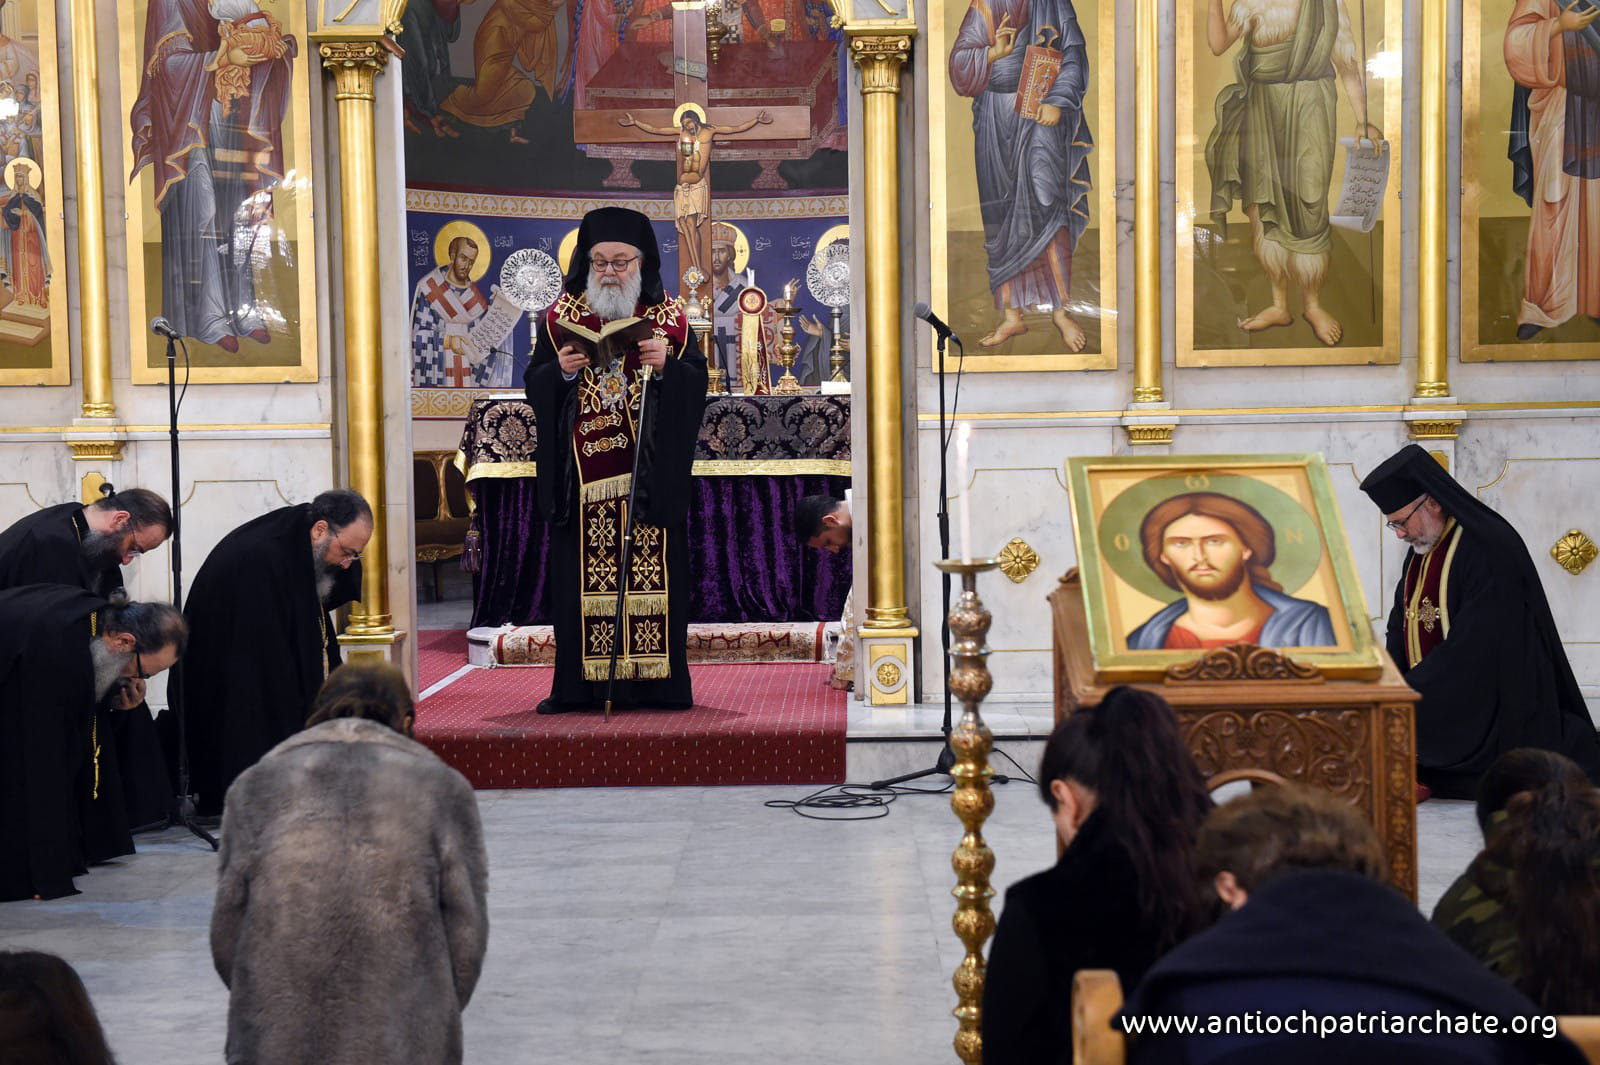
(719, 644)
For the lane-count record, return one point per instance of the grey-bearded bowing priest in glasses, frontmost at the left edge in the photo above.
(70, 663)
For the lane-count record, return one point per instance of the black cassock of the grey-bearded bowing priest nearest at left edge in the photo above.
(62, 792)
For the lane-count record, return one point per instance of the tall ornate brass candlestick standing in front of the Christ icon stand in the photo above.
(972, 800)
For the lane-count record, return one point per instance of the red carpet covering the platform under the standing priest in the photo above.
(770, 724)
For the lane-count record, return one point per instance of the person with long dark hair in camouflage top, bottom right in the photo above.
(1535, 917)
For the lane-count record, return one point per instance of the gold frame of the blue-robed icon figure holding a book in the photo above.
(1103, 170)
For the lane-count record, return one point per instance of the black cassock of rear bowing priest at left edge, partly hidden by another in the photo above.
(46, 549)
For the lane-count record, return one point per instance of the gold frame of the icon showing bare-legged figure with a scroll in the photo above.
(1383, 73)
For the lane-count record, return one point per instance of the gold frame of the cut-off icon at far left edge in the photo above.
(58, 370)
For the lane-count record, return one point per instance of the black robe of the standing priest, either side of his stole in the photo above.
(676, 405)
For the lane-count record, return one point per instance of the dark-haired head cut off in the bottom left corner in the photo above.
(46, 1015)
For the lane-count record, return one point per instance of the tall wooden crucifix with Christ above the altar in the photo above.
(695, 127)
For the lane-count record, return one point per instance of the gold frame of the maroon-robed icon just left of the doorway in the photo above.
(148, 356)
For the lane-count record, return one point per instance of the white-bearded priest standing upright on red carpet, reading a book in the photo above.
(612, 327)
